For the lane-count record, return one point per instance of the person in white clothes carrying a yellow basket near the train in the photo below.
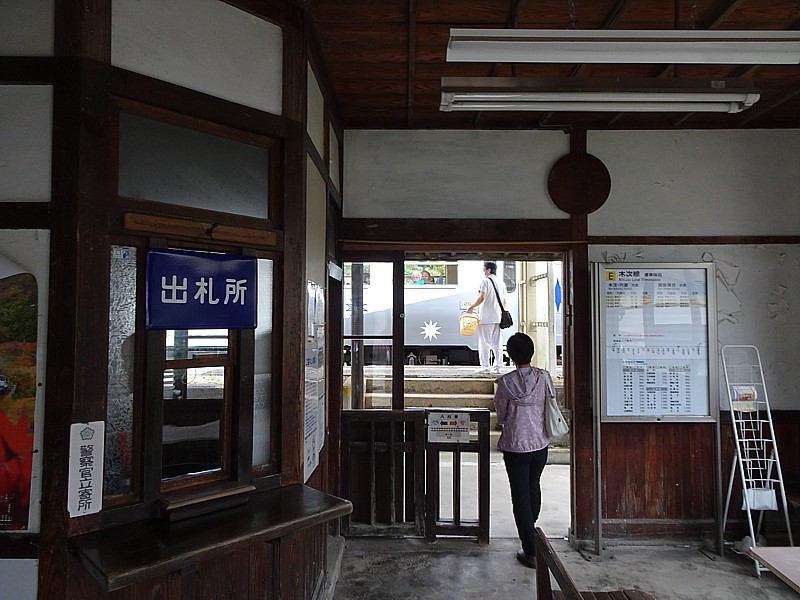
(489, 324)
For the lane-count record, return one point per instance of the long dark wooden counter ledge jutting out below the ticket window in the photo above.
(121, 556)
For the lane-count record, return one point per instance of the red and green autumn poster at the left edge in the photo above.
(18, 340)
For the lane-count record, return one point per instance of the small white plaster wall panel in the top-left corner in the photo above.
(26, 27)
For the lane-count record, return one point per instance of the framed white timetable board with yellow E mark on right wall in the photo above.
(656, 332)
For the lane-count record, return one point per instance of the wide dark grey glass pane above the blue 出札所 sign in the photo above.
(185, 167)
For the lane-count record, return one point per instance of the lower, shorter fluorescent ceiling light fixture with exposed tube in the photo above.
(596, 95)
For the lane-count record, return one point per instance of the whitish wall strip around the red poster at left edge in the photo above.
(29, 249)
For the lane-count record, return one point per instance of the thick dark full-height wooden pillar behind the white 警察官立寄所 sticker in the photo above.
(78, 304)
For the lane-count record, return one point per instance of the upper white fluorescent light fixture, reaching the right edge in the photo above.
(574, 46)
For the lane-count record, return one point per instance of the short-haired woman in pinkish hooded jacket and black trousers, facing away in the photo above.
(520, 402)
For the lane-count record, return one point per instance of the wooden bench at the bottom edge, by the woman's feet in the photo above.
(547, 562)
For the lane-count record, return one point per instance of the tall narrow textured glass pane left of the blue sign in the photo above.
(121, 330)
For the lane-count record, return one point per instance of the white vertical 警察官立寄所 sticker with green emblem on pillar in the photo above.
(85, 487)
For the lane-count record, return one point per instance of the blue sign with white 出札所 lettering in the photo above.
(200, 290)
